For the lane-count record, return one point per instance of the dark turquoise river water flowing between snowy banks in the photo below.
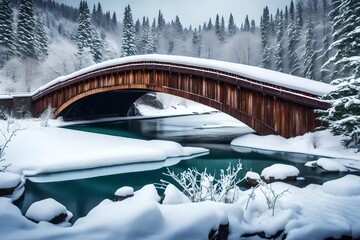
(80, 196)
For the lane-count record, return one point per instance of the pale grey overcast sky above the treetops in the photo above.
(190, 12)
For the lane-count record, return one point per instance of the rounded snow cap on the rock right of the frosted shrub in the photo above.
(279, 172)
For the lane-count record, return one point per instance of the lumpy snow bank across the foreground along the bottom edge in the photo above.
(314, 212)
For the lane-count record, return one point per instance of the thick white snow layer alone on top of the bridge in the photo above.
(250, 72)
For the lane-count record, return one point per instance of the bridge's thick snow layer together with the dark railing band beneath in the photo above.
(253, 74)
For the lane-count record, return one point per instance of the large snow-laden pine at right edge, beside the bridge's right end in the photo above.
(344, 114)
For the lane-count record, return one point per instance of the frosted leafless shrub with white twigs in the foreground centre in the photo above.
(202, 186)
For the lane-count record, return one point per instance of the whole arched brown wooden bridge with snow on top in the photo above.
(267, 101)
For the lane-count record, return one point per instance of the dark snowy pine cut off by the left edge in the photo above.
(7, 32)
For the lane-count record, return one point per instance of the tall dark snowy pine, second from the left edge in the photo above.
(26, 30)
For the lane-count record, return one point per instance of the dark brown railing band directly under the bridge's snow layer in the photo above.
(234, 79)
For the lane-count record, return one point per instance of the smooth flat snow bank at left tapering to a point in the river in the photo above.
(66, 150)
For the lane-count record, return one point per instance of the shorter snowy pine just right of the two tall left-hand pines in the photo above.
(41, 40)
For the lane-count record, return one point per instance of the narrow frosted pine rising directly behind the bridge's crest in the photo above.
(128, 40)
